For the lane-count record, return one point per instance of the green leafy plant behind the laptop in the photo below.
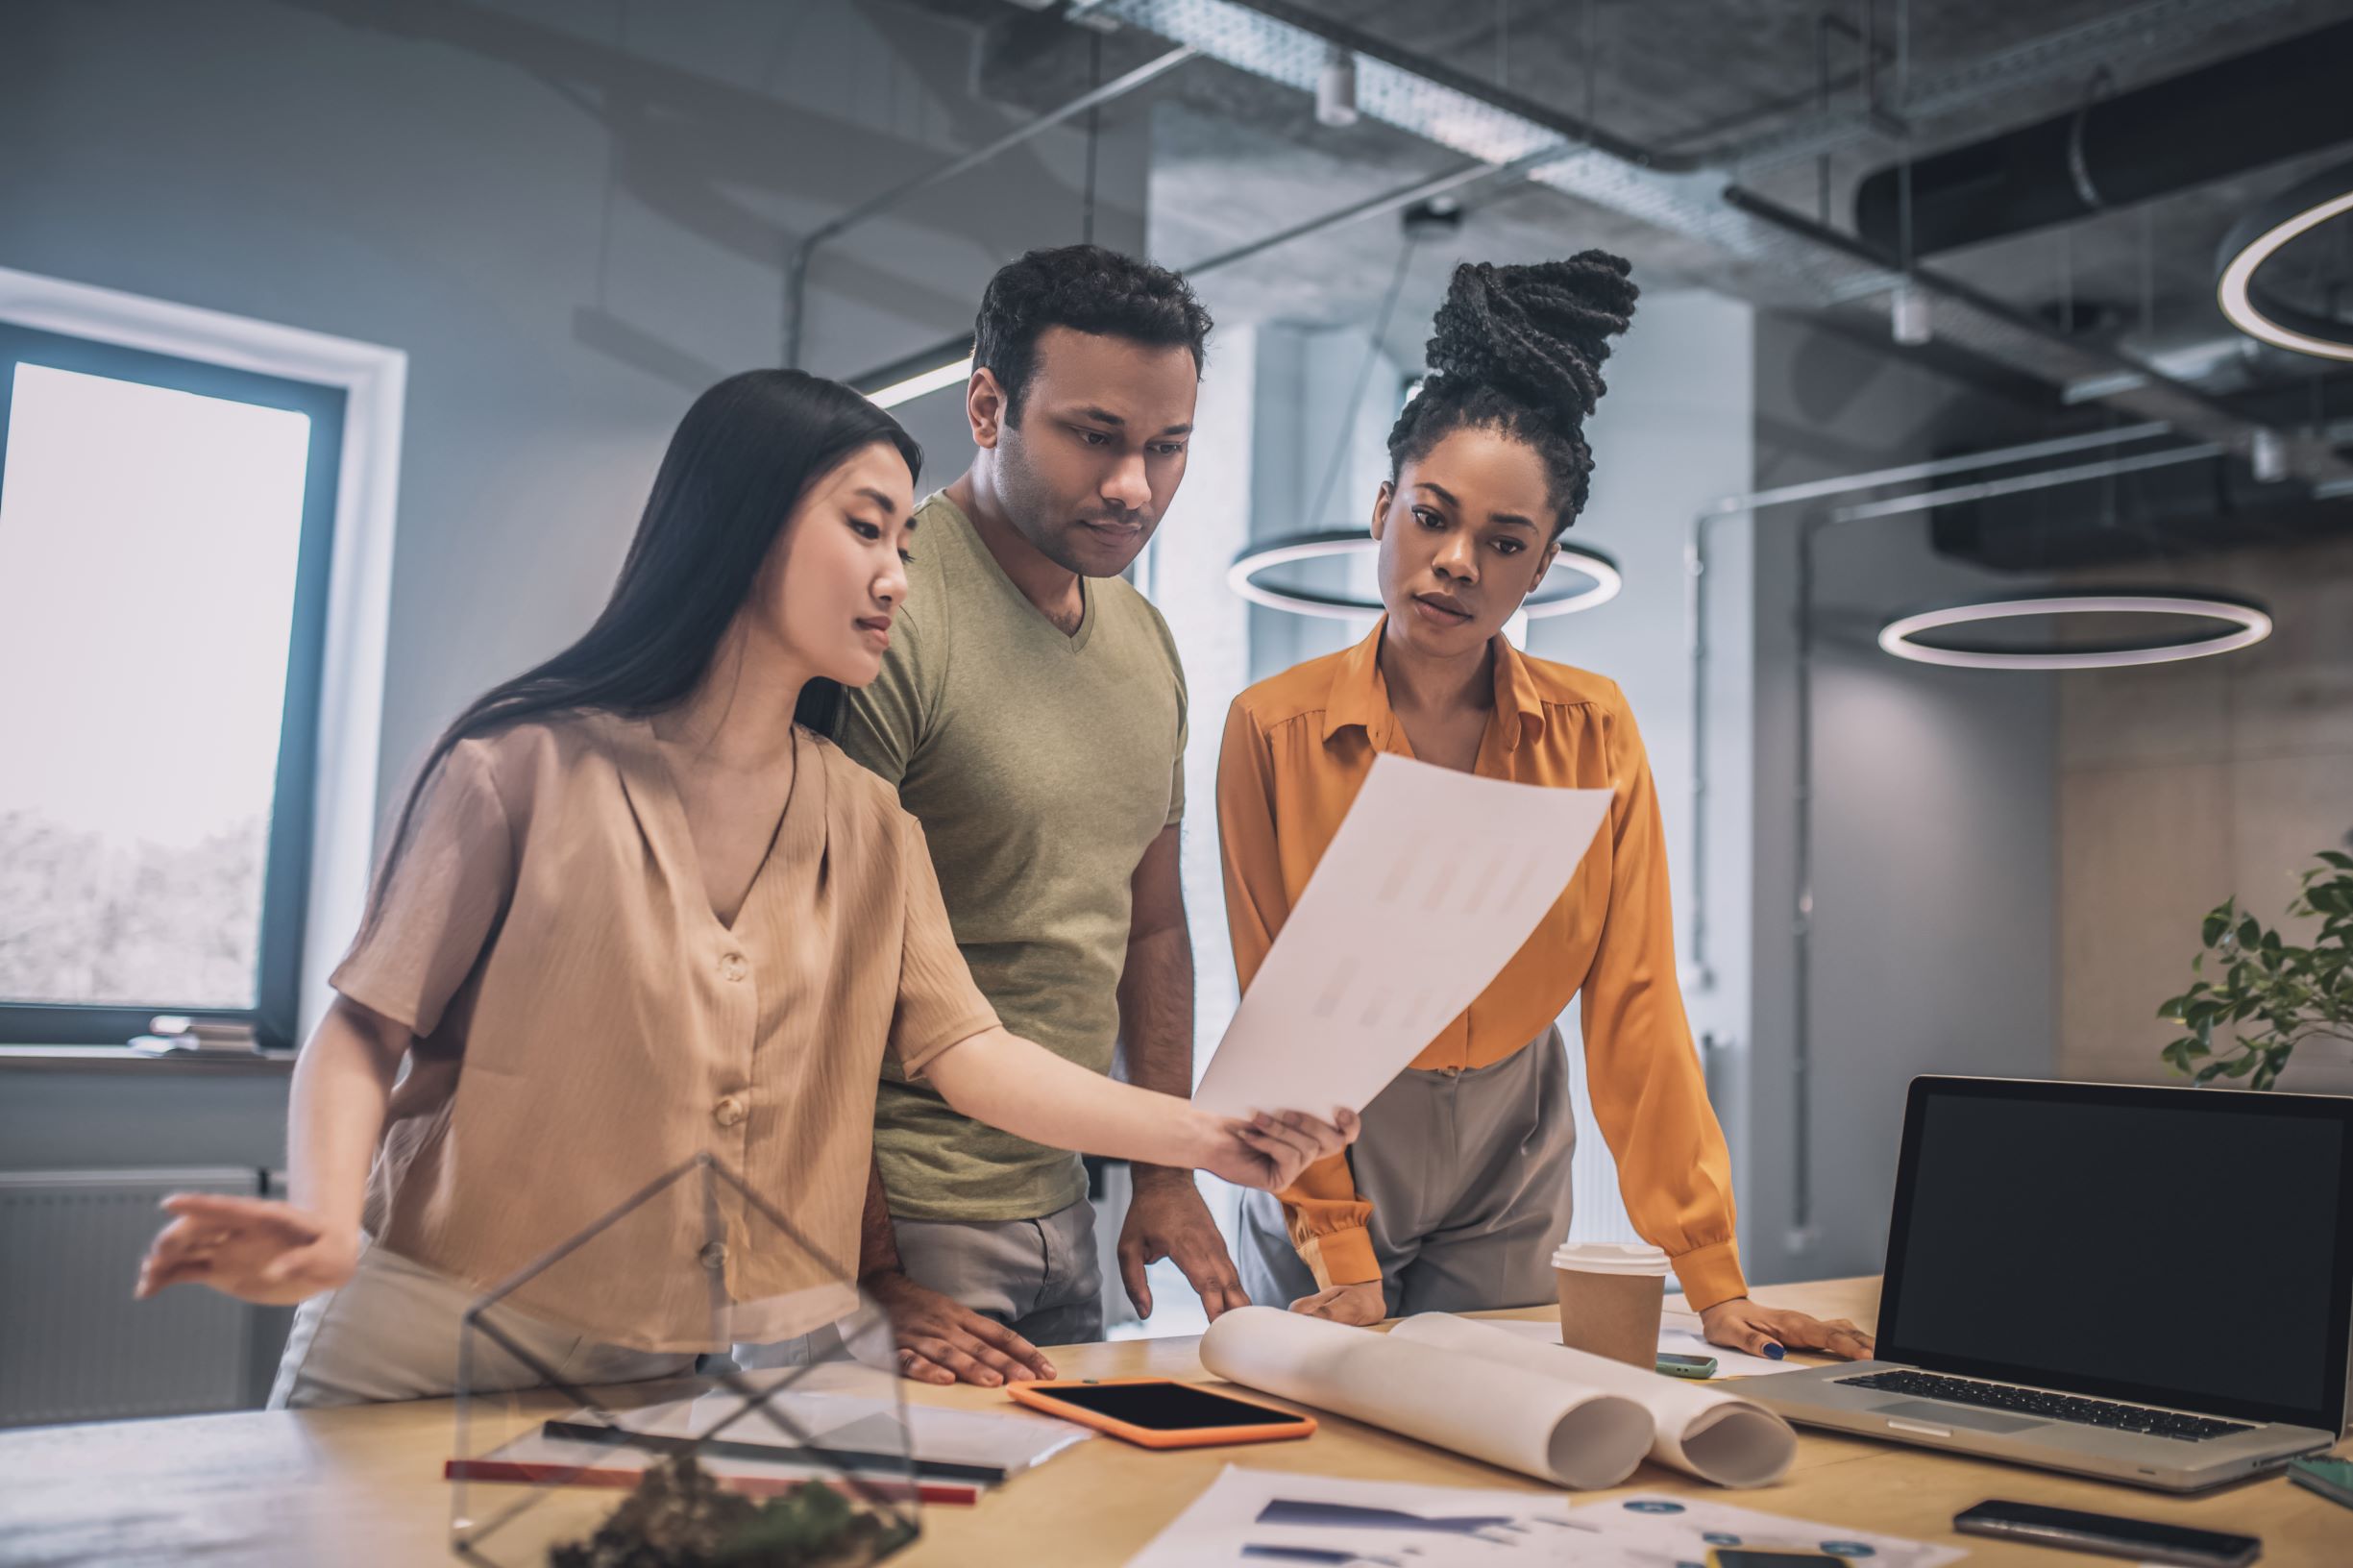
(2293, 995)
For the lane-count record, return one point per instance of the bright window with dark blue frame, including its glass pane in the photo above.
(164, 594)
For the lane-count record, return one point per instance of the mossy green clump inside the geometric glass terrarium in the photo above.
(681, 1517)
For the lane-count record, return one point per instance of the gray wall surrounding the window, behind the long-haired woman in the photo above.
(568, 225)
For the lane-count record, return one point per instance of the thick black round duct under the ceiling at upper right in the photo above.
(2117, 152)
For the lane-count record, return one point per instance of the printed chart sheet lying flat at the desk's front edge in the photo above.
(1267, 1520)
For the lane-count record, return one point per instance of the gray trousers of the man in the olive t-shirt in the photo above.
(1039, 1277)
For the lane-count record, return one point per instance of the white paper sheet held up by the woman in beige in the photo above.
(1432, 884)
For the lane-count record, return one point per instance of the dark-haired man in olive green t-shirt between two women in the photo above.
(1032, 715)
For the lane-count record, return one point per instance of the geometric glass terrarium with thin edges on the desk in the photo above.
(740, 1407)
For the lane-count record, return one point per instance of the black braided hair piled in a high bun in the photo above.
(1519, 350)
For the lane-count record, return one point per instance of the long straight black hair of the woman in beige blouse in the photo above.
(738, 467)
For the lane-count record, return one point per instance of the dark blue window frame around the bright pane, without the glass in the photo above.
(286, 882)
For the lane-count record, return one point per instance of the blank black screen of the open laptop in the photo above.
(2166, 1247)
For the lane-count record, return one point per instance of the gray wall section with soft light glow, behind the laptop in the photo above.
(1933, 811)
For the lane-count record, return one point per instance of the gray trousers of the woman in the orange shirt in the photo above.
(1469, 1188)
